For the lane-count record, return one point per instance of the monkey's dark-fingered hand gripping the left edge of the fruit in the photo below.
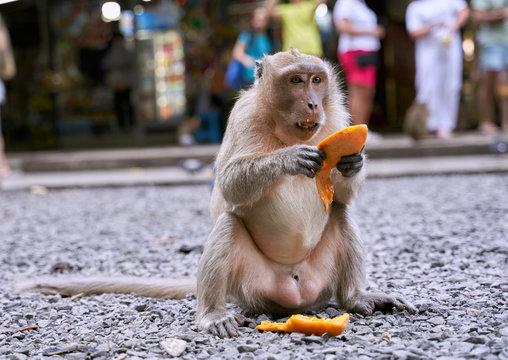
(302, 159)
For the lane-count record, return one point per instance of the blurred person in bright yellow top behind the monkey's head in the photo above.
(299, 29)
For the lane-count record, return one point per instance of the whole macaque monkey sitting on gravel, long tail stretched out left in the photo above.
(272, 248)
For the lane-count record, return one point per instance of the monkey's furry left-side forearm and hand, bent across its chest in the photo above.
(244, 180)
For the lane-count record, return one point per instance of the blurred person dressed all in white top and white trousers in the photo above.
(434, 25)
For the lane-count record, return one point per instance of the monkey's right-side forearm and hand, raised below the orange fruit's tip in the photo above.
(349, 178)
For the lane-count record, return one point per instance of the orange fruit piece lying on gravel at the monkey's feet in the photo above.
(308, 325)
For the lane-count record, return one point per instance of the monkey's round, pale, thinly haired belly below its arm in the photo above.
(288, 224)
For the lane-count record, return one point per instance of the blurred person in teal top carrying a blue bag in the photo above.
(253, 44)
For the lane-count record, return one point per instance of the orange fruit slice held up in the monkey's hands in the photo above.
(345, 142)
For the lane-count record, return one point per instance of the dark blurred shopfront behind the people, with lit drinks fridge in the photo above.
(63, 96)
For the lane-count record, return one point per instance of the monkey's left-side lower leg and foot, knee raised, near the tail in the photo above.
(218, 274)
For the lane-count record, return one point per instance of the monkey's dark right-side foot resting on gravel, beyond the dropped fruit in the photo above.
(366, 304)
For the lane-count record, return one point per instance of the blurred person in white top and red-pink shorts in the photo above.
(359, 41)
